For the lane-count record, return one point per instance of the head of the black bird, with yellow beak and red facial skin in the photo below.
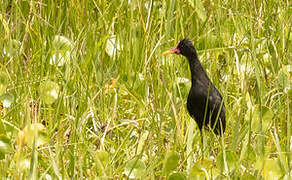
(184, 47)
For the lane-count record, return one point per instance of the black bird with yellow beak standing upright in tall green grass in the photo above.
(204, 102)
